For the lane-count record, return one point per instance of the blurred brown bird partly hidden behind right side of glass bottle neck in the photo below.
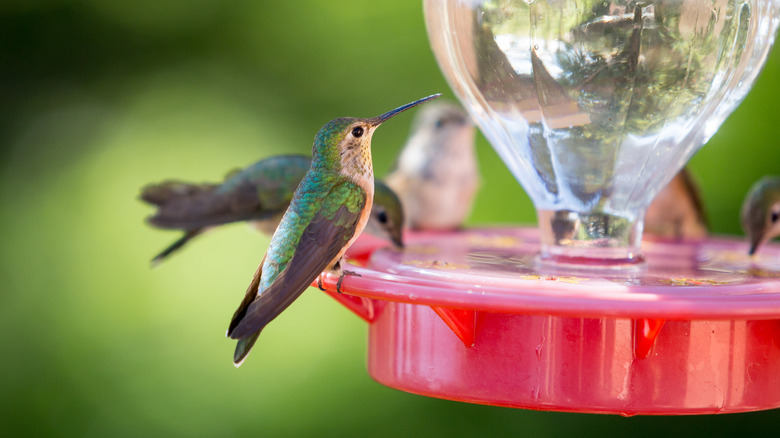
(677, 212)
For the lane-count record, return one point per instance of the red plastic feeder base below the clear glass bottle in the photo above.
(470, 316)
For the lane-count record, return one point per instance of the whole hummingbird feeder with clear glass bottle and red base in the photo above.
(594, 107)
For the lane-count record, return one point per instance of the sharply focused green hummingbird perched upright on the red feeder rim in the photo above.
(328, 211)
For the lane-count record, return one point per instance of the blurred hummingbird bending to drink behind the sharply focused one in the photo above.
(259, 194)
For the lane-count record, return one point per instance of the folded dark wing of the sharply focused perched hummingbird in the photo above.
(323, 240)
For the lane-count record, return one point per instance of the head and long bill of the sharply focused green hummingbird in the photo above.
(344, 144)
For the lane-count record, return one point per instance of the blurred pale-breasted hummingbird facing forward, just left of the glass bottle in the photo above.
(436, 174)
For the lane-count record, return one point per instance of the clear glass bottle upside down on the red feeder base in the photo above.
(595, 105)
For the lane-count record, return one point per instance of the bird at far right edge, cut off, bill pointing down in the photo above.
(761, 212)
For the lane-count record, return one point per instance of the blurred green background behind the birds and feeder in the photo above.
(99, 97)
